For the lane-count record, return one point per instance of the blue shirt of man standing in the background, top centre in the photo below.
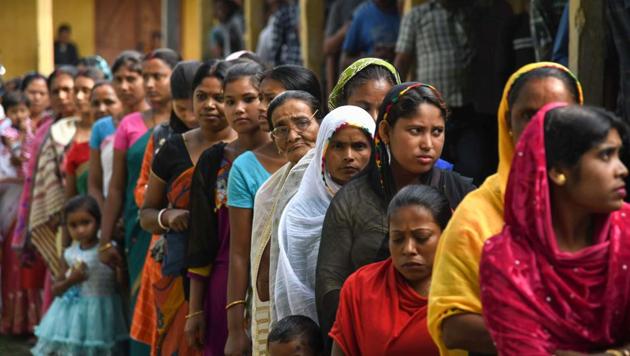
(371, 27)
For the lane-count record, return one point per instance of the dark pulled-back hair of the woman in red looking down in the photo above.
(424, 196)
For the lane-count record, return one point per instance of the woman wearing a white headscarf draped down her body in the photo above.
(342, 150)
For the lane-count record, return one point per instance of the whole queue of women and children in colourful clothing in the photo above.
(197, 208)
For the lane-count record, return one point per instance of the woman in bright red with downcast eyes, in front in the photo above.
(383, 306)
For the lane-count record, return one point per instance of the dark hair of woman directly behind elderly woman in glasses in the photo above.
(293, 77)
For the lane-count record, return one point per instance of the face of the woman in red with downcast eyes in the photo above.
(413, 237)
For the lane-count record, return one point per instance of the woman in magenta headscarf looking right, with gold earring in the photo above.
(557, 277)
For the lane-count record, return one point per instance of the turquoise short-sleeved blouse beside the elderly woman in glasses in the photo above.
(246, 176)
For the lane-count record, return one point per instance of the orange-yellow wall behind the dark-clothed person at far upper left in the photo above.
(80, 15)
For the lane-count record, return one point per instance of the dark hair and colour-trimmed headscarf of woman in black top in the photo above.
(398, 106)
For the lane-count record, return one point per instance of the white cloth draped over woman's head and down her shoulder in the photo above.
(301, 222)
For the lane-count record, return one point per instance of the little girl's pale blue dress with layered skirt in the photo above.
(89, 319)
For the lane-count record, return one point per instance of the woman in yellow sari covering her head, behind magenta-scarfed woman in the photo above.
(454, 316)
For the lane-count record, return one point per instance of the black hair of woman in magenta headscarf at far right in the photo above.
(571, 131)
